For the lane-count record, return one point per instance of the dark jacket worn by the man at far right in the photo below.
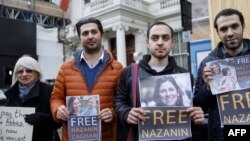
(204, 97)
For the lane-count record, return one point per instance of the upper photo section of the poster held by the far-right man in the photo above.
(230, 74)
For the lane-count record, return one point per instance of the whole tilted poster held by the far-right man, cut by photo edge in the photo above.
(230, 84)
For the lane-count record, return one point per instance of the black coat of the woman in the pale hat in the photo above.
(40, 99)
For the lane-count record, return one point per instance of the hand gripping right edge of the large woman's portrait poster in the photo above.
(196, 114)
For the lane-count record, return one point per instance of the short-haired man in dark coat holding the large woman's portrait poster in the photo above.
(160, 42)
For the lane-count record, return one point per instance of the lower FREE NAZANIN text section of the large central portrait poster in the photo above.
(165, 123)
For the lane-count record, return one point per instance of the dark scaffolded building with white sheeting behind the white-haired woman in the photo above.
(30, 27)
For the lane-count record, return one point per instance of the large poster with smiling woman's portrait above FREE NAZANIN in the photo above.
(165, 100)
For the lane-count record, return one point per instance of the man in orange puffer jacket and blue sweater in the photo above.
(92, 71)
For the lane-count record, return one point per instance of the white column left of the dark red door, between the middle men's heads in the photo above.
(120, 43)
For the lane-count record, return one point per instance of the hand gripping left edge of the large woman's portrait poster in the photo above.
(135, 115)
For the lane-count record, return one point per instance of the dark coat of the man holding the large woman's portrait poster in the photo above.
(124, 97)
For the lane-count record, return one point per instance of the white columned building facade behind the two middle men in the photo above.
(125, 23)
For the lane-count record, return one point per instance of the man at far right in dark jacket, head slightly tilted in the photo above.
(229, 24)
